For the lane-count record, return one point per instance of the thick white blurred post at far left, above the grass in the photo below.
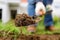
(5, 14)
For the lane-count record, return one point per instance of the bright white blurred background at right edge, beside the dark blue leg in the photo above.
(56, 8)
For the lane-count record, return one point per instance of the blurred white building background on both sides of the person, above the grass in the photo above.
(9, 9)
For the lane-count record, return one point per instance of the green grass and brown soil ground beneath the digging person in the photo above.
(43, 35)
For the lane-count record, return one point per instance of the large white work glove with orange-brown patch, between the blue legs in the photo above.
(40, 9)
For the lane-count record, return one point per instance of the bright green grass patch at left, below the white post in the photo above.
(9, 28)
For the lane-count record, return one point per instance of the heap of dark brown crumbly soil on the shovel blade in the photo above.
(24, 20)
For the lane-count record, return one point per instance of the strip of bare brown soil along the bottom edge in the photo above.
(33, 37)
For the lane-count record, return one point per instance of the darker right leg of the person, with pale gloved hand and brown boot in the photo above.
(48, 20)
